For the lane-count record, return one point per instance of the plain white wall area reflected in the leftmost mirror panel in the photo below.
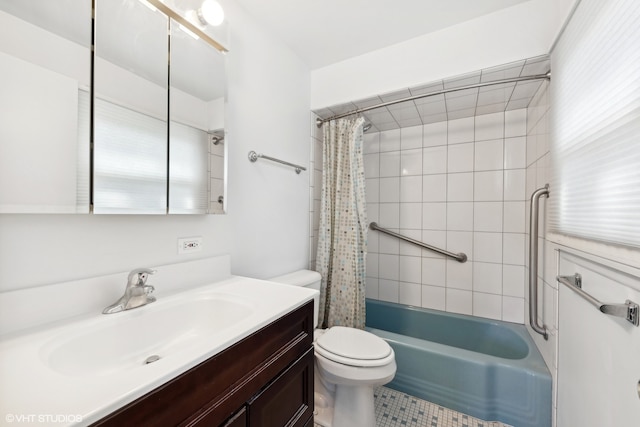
(37, 104)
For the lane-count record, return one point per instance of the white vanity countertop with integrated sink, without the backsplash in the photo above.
(94, 365)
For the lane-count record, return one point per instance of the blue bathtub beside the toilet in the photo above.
(484, 368)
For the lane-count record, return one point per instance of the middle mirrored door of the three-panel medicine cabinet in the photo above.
(130, 108)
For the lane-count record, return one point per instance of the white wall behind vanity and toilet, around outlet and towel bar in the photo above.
(265, 229)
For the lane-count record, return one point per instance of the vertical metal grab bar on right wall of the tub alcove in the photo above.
(533, 262)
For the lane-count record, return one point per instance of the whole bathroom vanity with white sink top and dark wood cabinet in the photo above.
(229, 351)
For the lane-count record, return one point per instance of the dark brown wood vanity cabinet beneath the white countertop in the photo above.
(263, 380)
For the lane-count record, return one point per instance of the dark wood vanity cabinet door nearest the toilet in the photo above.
(288, 400)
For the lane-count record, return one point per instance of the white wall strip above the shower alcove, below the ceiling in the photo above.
(522, 31)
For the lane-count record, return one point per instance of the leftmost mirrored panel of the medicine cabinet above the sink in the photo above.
(45, 76)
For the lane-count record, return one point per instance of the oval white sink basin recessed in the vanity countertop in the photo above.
(126, 340)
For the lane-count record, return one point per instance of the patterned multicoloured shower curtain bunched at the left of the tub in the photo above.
(342, 240)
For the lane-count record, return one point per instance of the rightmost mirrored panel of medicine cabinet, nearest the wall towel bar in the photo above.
(196, 130)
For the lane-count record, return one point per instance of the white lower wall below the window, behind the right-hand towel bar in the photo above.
(598, 370)
